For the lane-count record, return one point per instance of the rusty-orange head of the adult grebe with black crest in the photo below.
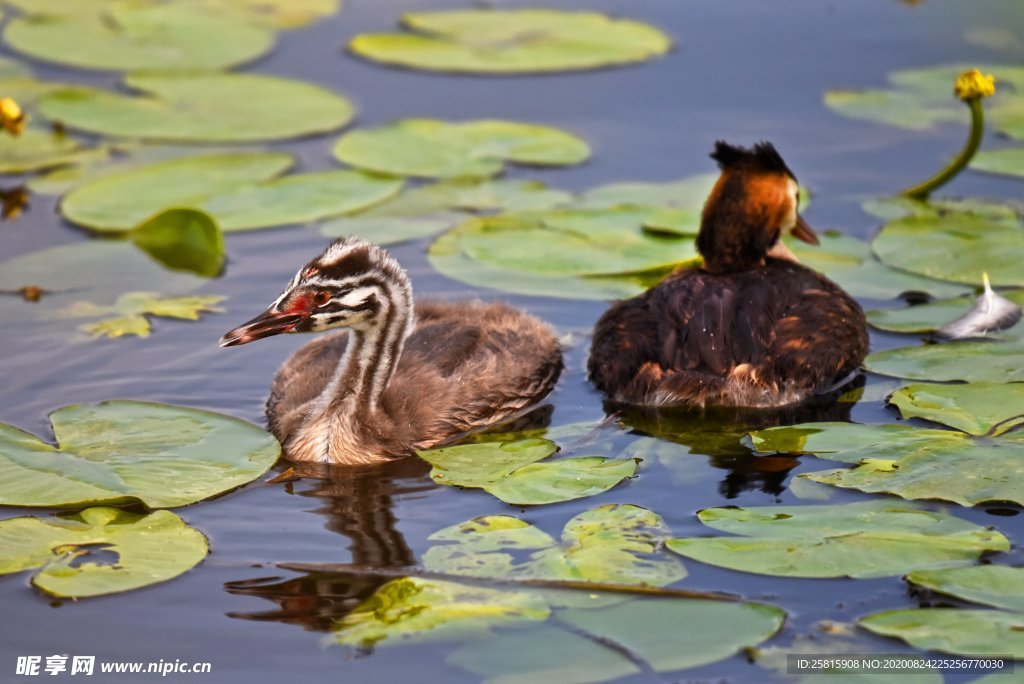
(754, 203)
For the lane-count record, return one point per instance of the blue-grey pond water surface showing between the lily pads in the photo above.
(743, 71)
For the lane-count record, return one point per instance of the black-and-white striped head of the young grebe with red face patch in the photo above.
(354, 284)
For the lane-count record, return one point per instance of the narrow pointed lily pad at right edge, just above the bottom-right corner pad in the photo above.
(998, 586)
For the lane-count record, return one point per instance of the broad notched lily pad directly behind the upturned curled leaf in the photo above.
(240, 191)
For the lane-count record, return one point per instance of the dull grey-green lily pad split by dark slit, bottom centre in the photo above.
(595, 646)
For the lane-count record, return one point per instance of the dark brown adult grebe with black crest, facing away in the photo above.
(745, 330)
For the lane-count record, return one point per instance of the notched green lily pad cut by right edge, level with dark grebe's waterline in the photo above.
(979, 409)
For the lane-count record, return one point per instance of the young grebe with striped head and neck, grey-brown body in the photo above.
(407, 382)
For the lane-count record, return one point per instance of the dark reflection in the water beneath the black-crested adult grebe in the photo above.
(718, 433)
